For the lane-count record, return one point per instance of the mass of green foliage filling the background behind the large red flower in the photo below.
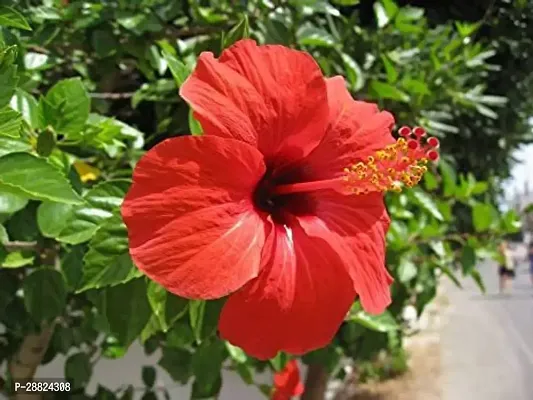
(87, 86)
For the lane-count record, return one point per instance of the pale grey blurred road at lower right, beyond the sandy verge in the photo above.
(487, 344)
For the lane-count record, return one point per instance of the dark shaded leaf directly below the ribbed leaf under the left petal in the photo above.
(127, 310)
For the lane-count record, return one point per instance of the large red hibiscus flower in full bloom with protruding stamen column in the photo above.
(279, 204)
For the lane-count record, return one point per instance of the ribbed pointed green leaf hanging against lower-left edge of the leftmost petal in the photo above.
(108, 263)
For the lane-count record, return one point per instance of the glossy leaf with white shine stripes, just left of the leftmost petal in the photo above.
(101, 202)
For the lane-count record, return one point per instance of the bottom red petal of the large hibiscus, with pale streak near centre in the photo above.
(298, 301)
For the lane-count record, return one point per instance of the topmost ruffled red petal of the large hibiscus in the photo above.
(271, 97)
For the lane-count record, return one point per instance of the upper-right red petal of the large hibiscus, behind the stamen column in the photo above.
(356, 129)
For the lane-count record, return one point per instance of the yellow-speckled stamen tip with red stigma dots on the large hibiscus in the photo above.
(401, 164)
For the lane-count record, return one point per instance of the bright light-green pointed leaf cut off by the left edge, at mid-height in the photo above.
(19, 172)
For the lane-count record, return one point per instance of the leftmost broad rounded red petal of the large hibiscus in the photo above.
(191, 223)
